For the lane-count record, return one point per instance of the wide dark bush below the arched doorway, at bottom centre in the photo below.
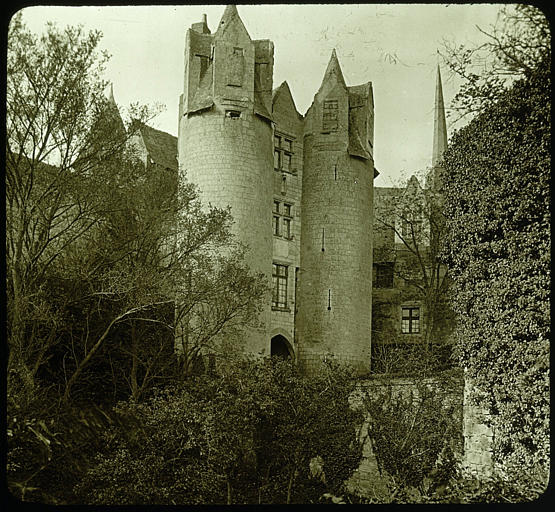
(245, 435)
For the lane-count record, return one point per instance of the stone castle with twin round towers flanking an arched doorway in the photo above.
(300, 189)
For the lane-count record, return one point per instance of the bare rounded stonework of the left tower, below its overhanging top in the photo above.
(230, 159)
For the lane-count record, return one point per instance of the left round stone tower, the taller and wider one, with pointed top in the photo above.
(225, 143)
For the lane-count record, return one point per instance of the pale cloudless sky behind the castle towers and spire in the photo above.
(392, 45)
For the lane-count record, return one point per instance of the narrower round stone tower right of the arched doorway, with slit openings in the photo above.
(335, 293)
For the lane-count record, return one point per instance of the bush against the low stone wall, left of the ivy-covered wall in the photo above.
(415, 433)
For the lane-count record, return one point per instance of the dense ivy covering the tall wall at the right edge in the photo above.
(497, 204)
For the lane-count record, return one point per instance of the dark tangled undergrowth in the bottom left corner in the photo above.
(49, 444)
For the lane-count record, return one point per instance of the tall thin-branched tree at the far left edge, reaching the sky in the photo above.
(54, 98)
